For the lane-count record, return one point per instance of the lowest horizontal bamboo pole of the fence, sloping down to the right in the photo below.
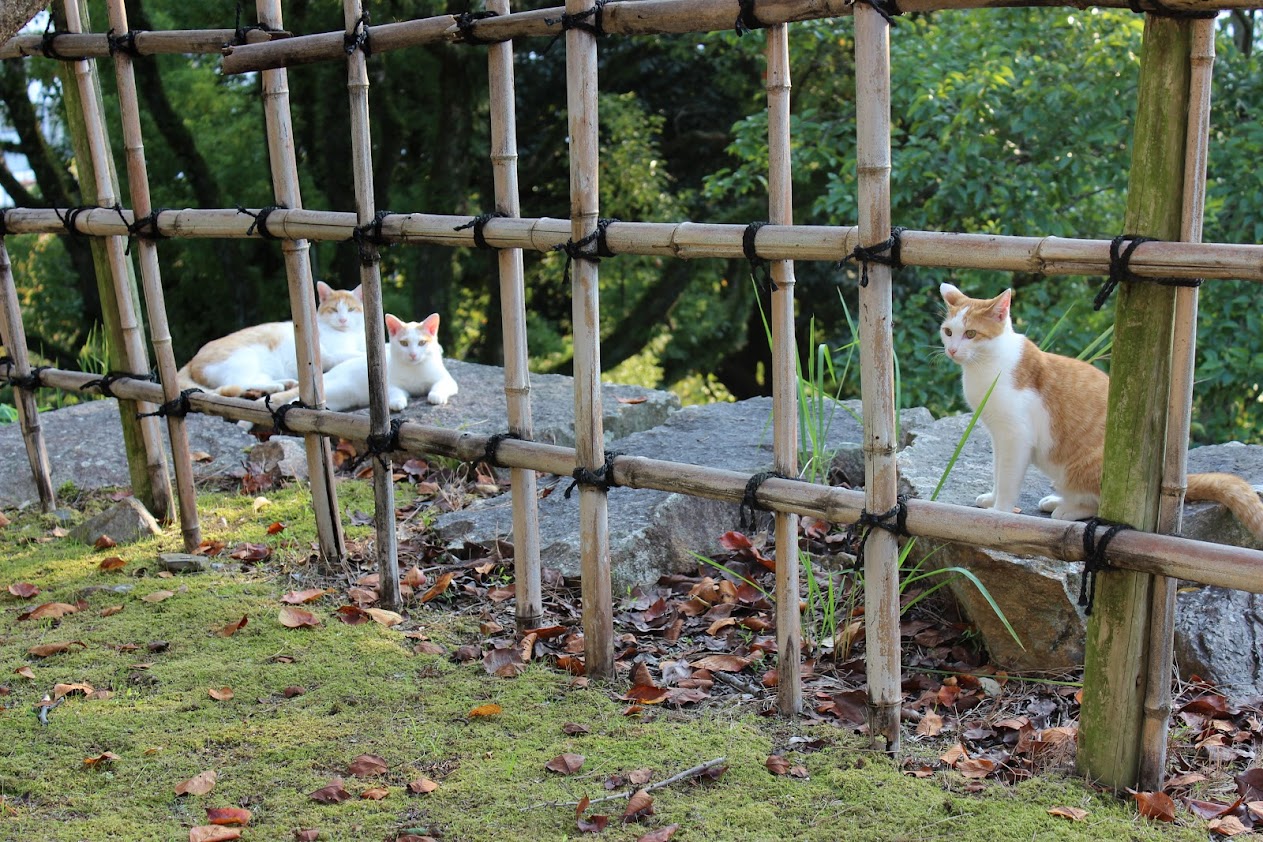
(1217, 565)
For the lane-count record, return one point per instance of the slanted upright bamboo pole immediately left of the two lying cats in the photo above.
(151, 277)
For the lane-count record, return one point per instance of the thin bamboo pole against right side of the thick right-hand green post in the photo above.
(1158, 703)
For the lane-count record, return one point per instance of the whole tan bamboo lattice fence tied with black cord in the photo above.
(268, 49)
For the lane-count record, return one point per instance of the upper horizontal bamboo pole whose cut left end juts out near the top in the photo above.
(636, 18)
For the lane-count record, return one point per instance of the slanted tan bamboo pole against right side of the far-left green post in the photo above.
(99, 182)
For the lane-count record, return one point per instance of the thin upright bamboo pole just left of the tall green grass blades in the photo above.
(785, 376)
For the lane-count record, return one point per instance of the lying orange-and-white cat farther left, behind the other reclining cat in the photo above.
(261, 360)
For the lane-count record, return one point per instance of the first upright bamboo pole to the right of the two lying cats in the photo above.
(513, 315)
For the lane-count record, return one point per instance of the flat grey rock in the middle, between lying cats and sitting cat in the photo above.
(656, 532)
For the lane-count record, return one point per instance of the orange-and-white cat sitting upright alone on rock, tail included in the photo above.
(1050, 411)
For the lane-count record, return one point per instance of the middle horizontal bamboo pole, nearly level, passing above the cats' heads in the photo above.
(690, 240)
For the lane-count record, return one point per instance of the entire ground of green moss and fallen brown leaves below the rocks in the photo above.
(145, 705)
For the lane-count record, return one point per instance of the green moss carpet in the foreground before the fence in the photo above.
(364, 690)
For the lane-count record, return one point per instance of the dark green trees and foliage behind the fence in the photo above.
(1007, 121)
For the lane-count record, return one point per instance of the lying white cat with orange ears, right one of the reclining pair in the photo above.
(415, 368)
